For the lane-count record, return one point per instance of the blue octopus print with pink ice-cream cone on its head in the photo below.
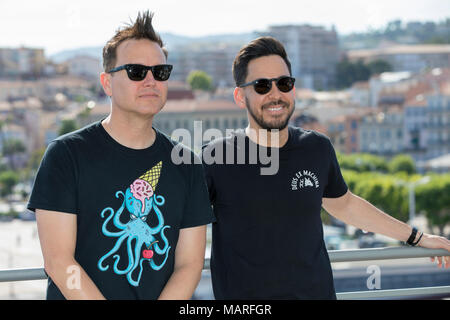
(140, 200)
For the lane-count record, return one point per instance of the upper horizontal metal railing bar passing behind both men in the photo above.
(335, 256)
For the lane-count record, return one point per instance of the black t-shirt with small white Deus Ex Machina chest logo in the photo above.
(268, 237)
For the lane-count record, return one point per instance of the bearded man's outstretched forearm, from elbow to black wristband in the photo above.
(363, 215)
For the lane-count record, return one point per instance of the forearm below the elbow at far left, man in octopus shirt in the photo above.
(71, 279)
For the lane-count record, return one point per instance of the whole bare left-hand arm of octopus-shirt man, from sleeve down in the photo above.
(57, 234)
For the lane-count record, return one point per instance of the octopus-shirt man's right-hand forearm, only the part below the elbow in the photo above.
(182, 283)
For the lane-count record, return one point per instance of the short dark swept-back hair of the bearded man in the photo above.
(260, 47)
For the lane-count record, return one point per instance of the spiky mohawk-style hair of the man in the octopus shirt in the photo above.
(140, 29)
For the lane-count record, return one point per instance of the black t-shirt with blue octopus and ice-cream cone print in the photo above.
(130, 205)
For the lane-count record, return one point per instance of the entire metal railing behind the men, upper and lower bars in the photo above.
(335, 256)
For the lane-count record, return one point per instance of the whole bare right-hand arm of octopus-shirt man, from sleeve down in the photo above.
(189, 259)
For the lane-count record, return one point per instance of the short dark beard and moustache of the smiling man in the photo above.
(274, 124)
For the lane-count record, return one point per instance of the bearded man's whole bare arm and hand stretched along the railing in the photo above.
(358, 212)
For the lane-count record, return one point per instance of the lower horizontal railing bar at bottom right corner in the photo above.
(406, 292)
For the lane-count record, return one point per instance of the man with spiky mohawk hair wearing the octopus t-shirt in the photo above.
(117, 219)
